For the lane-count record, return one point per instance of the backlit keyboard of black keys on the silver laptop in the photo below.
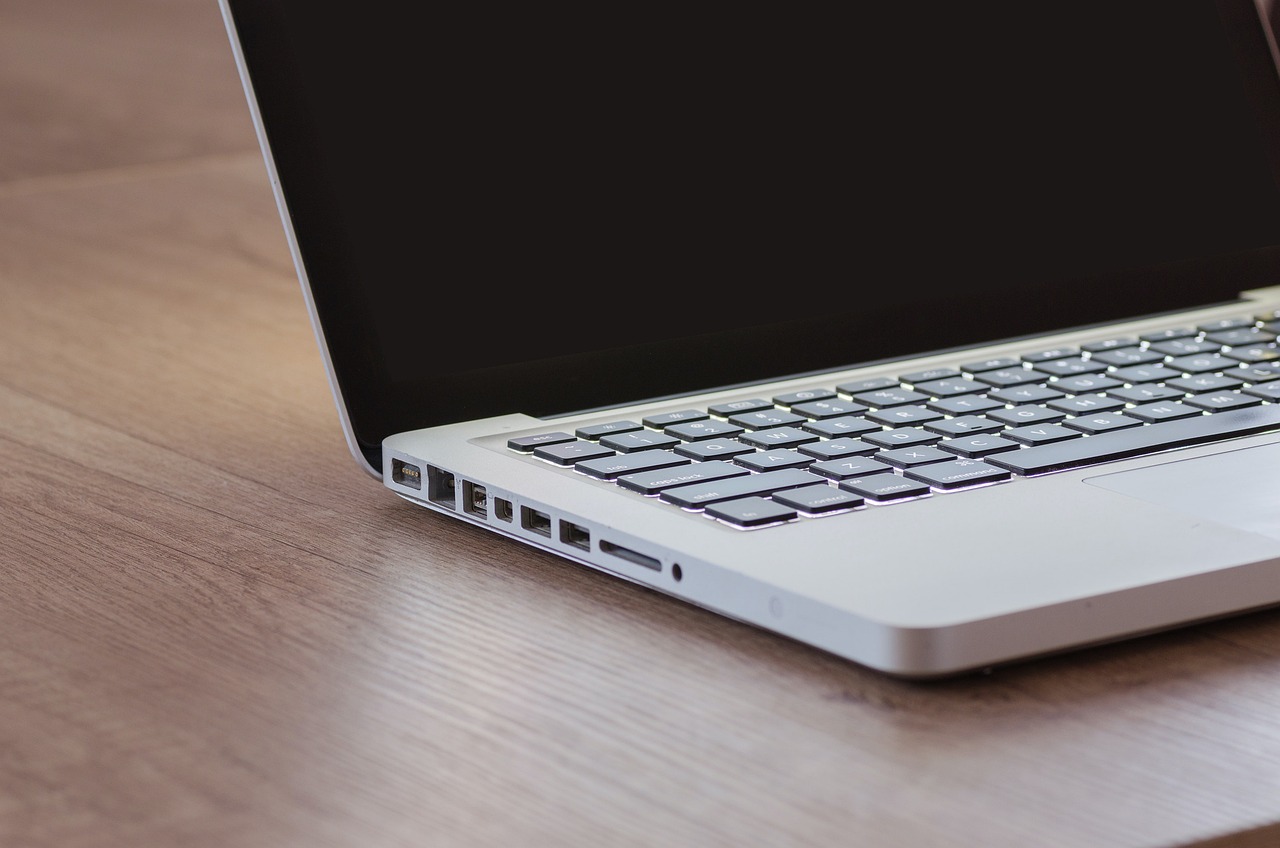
(822, 452)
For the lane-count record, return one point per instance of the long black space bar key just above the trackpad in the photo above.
(1121, 445)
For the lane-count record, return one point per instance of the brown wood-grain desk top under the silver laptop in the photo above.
(217, 631)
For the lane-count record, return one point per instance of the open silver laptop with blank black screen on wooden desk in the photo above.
(934, 338)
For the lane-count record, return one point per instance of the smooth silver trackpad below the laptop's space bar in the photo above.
(1238, 489)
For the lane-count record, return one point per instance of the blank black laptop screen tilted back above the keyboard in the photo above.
(551, 212)
